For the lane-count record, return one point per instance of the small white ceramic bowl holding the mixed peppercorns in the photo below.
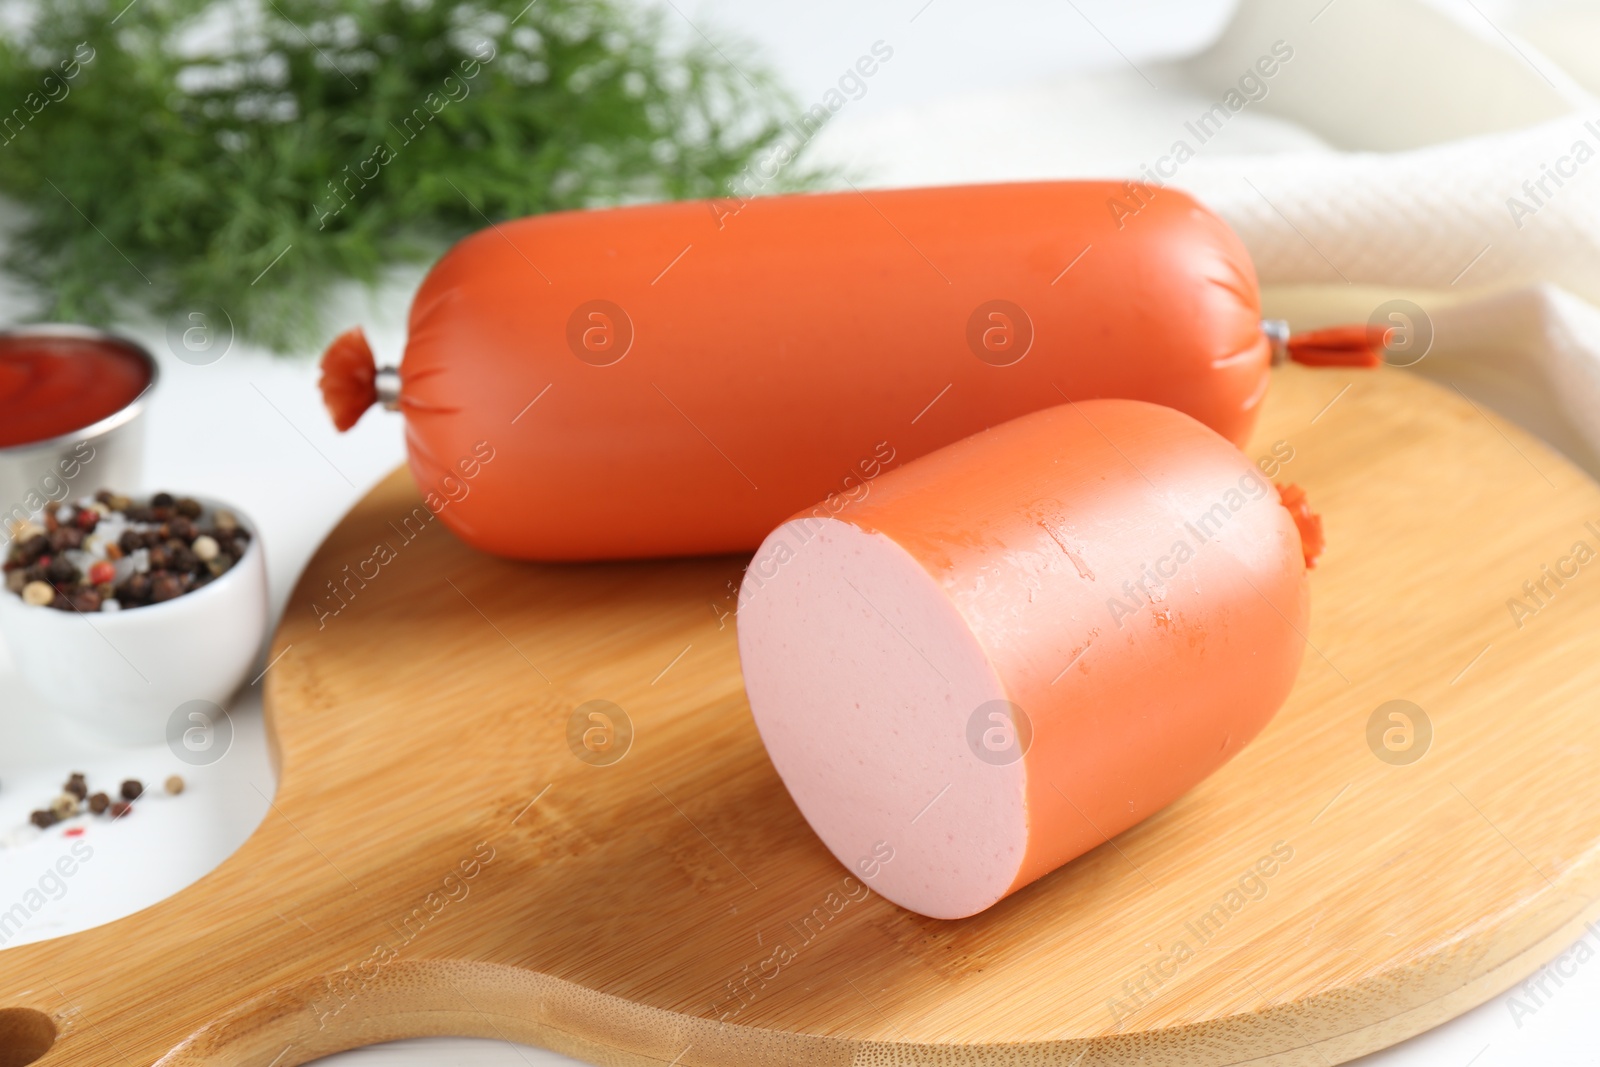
(124, 674)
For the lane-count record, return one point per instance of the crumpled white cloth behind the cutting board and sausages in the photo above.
(1377, 162)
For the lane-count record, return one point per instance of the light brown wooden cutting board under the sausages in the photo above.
(439, 860)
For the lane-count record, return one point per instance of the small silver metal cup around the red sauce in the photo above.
(106, 454)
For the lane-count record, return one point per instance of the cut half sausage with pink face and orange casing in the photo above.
(1022, 644)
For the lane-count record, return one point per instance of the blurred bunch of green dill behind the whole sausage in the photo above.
(246, 154)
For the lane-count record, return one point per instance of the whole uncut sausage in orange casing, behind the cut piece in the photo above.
(678, 378)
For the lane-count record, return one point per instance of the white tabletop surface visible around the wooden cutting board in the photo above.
(250, 430)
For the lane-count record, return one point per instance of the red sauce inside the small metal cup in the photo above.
(52, 386)
